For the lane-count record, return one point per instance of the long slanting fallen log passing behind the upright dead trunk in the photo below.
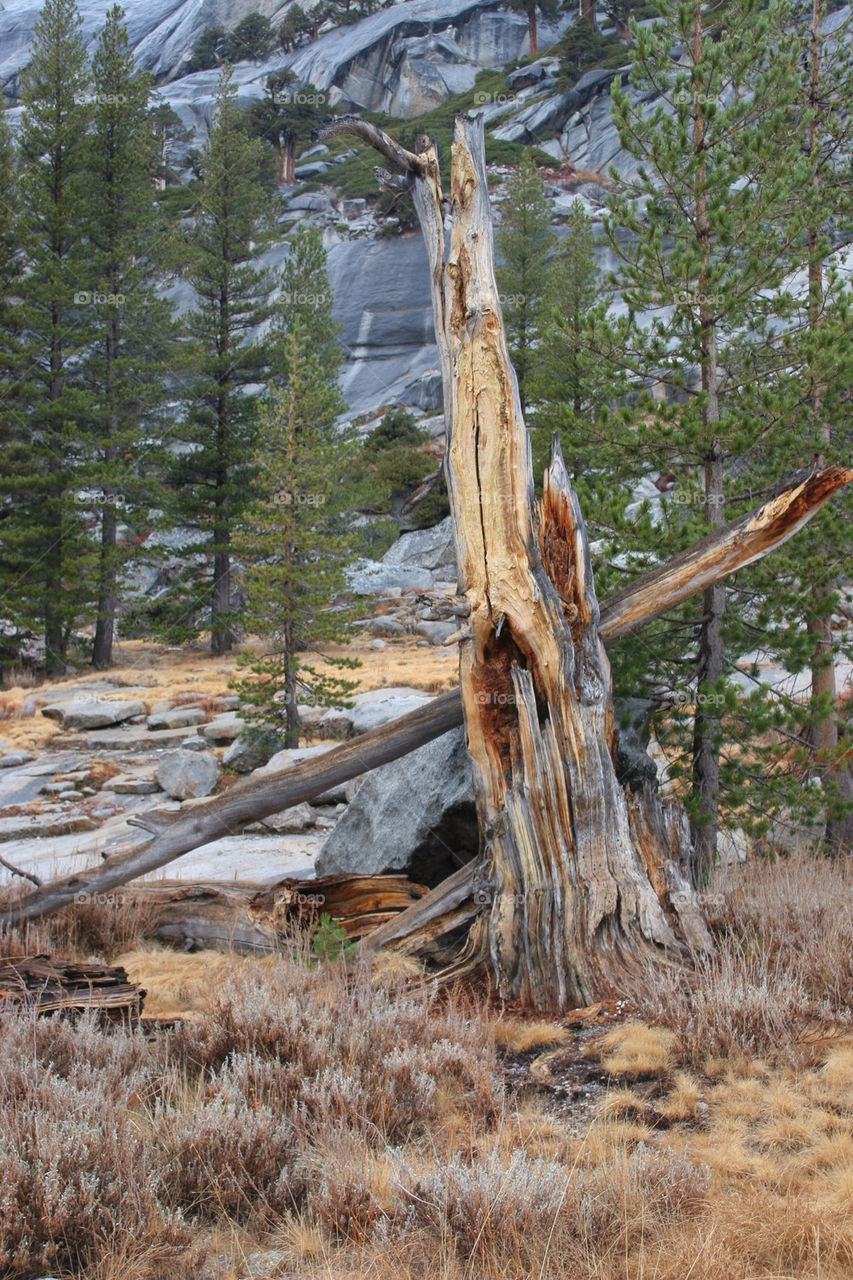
(724, 552)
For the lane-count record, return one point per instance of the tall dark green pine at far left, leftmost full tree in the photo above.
(47, 557)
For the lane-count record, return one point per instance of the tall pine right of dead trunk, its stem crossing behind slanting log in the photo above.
(704, 244)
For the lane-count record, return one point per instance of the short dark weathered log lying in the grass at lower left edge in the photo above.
(48, 986)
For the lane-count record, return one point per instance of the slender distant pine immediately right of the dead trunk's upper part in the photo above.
(524, 245)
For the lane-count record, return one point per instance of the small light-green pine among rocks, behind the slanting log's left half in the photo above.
(298, 529)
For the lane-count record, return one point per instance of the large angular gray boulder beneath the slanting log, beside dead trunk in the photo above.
(416, 815)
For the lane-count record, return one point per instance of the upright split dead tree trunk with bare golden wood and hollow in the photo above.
(571, 907)
